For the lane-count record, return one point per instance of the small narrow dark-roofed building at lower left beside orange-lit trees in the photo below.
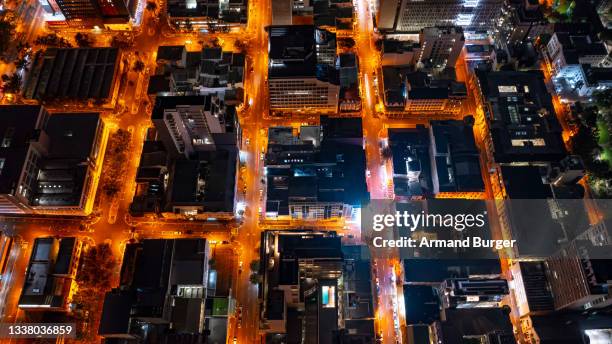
(50, 274)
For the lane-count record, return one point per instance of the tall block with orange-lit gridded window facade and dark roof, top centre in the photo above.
(302, 76)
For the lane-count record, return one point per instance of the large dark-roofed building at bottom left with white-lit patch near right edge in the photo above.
(153, 273)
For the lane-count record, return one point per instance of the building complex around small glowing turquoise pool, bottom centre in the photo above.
(309, 286)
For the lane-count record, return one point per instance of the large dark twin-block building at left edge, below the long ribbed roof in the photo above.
(66, 145)
